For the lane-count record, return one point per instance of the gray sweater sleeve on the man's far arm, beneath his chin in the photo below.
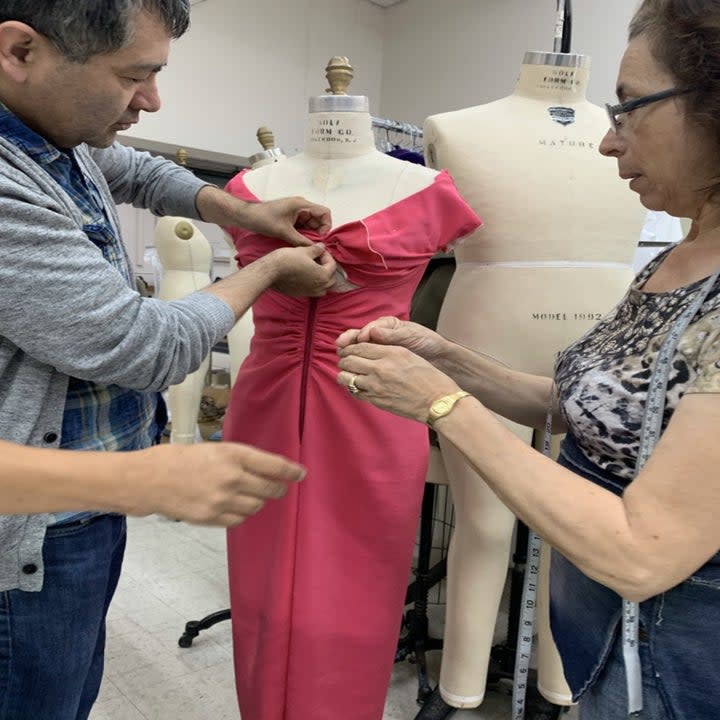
(147, 181)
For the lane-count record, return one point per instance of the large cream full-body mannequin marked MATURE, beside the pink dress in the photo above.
(554, 255)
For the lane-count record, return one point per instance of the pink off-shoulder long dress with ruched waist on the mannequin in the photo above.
(318, 579)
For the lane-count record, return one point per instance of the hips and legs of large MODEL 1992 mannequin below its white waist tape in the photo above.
(547, 308)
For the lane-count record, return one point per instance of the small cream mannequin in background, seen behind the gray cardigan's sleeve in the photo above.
(186, 258)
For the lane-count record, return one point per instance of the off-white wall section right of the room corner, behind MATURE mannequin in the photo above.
(443, 55)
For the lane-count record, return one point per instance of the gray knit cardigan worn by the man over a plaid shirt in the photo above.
(64, 311)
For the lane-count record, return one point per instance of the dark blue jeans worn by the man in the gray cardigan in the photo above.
(52, 642)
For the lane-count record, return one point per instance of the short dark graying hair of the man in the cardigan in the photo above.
(80, 29)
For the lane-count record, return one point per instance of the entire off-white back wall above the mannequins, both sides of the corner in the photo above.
(244, 64)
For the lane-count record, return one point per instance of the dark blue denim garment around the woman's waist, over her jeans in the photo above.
(681, 626)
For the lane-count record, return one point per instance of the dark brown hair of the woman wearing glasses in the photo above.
(684, 38)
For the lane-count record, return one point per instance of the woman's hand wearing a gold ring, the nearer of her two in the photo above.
(392, 378)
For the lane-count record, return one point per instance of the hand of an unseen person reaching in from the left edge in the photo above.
(207, 483)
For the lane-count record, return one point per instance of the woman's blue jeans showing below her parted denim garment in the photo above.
(607, 698)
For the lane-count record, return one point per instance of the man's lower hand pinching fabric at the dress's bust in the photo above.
(303, 272)
